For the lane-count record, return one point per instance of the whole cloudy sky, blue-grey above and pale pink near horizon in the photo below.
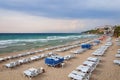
(57, 16)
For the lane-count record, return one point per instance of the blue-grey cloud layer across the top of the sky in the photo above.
(70, 9)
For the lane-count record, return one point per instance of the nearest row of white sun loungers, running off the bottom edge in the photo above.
(83, 72)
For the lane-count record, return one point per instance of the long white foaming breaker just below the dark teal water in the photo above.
(49, 38)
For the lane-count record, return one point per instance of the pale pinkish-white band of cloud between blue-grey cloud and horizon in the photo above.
(17, 22)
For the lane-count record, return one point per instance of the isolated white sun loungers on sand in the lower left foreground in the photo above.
(32, 72)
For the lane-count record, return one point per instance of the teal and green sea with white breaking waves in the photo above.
(13, 42)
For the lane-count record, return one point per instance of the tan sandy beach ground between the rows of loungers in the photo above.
(105, 70)
